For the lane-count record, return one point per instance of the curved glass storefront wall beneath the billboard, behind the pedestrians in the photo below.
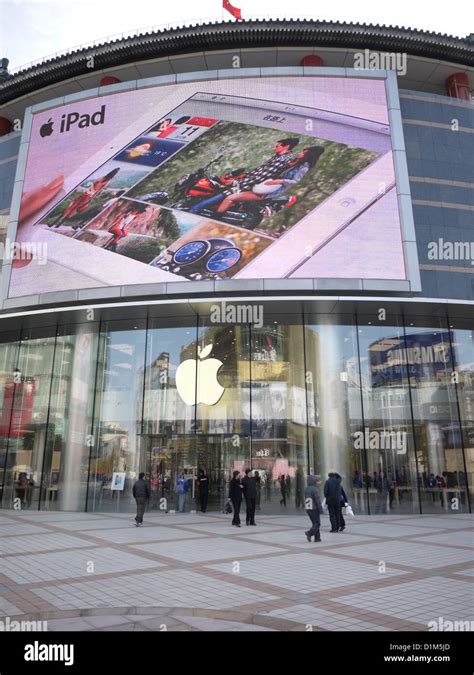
(297, 394)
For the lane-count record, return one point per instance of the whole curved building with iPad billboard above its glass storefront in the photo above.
(347, 364)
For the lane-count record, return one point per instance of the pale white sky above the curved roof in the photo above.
(33, 29)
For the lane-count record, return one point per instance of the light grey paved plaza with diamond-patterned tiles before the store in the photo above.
(195, 572)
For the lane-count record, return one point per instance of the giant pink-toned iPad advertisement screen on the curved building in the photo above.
(271, 177)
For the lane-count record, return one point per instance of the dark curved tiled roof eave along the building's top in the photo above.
(246, 34)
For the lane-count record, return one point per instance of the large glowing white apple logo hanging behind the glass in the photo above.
(209, 391)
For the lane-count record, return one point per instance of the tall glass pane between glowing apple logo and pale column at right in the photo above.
(274, 402)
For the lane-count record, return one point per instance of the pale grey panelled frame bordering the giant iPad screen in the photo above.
(365, 287)
